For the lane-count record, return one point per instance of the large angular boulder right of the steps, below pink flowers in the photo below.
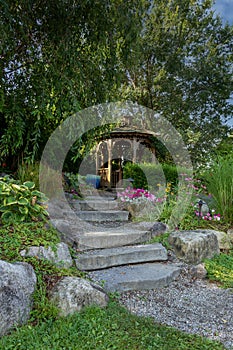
(194, 246)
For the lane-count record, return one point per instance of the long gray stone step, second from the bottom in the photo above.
(104, 258)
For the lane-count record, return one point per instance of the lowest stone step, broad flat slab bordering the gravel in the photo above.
(136, 277)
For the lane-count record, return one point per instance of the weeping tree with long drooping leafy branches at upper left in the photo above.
(58, 57)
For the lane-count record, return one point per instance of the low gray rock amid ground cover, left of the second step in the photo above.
(60, 256)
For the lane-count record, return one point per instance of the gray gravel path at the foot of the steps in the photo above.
(192, 306)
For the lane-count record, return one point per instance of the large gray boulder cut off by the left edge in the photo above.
(17, 284)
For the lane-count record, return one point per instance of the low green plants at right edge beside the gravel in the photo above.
(220, 269)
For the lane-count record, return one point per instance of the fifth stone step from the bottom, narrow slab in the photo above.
(97, 204)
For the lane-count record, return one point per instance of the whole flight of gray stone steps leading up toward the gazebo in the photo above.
(116, 252)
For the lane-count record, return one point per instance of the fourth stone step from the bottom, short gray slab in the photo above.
(107, 215)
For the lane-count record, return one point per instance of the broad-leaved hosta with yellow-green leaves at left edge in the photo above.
(20, 202)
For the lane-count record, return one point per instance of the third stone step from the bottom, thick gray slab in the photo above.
(112, 239)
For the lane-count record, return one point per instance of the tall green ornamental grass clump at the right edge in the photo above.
(219, 181)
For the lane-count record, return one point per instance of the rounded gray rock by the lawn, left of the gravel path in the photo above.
(71, 294)
